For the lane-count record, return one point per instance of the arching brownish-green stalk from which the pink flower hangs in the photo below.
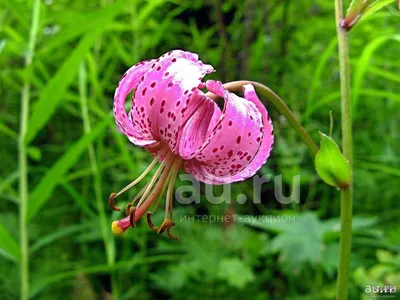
(237, 86)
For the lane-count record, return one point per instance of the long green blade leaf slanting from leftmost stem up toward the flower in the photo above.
(42, 193)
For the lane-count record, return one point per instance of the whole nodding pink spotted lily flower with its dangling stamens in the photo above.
(183, 128)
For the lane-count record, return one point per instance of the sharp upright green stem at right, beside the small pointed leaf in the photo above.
(346, 195)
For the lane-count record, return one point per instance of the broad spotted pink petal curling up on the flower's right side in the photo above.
(239, 143)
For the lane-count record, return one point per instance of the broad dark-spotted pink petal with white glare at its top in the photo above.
(165, 95)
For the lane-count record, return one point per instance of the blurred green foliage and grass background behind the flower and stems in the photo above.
(77, 157)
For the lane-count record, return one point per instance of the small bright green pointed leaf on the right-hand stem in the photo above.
(331, 165)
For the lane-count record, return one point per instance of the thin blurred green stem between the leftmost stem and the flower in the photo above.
(108, 239)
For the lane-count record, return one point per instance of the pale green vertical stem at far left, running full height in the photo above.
(22, 155)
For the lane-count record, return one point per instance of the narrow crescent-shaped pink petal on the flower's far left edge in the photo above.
(129, 82)
